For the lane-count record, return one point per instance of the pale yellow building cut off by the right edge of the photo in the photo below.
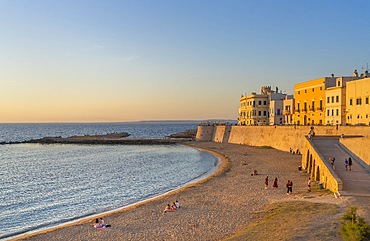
(357, 102)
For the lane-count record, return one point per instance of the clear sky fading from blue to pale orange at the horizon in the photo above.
(67, 61)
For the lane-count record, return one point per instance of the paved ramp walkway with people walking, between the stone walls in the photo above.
(356, 183)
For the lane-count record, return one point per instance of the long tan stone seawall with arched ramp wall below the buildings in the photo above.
(295, 137)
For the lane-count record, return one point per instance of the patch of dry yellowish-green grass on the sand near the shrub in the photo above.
(296, 220)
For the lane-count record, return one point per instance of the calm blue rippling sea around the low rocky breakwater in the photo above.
(45, 185)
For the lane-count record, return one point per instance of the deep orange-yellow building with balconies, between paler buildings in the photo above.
(310, 101)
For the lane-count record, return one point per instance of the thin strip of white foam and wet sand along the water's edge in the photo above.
(216, 170)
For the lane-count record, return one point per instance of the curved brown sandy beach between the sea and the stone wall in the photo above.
(215, 208)
